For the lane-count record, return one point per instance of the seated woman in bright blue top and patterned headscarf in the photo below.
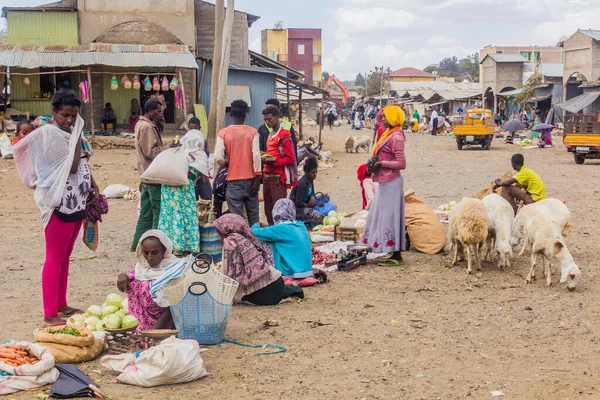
(289, 241)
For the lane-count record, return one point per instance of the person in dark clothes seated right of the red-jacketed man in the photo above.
(303, 195)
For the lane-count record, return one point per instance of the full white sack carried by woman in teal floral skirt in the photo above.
(168, 168)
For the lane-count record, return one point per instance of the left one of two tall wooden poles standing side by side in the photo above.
(216, 65)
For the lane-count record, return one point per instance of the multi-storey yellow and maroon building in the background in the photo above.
(297, 48)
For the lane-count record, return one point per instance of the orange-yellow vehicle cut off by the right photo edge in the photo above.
(582, 136)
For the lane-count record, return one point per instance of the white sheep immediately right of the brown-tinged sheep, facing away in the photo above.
(501, 216)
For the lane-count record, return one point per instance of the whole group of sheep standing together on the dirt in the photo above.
(541, 226)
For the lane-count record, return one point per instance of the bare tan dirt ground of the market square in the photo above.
(421, 331)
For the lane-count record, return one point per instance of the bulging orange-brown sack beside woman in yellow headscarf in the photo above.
(425, 230)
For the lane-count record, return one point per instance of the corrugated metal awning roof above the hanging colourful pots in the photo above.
(118, 55)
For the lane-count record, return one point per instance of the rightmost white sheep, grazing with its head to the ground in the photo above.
(546, 239)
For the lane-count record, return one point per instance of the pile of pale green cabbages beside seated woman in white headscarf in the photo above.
(113, 314)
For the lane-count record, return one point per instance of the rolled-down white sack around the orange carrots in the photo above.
(42, 373)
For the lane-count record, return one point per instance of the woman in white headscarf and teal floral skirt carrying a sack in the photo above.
(178, 210)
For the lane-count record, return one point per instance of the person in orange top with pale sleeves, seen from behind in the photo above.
(238, 148)
